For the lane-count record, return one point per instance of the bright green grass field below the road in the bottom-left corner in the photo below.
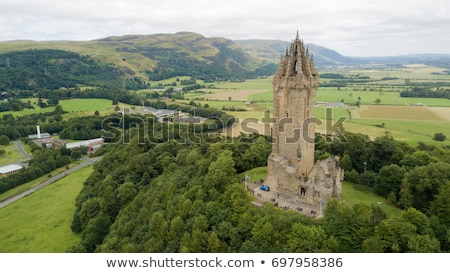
(40, 223)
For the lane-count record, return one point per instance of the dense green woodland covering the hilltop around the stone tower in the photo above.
(178, 196)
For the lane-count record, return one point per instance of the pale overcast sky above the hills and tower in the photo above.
(351, 27)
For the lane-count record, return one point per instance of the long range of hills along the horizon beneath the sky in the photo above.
(137, 59)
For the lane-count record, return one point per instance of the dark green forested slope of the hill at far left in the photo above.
(54, 69)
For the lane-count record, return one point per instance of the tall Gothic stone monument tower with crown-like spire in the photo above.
(291, 166)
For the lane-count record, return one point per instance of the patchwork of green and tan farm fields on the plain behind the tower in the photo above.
(381, 108)
